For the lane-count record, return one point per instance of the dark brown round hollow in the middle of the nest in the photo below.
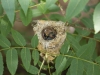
(49, 33)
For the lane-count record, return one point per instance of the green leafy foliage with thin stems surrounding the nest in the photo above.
(77, 55)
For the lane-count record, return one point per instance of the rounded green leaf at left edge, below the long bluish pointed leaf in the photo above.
(5, 28)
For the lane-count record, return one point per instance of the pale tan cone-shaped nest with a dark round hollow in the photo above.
(51, 35)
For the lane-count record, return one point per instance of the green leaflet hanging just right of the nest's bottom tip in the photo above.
(60, 63)
